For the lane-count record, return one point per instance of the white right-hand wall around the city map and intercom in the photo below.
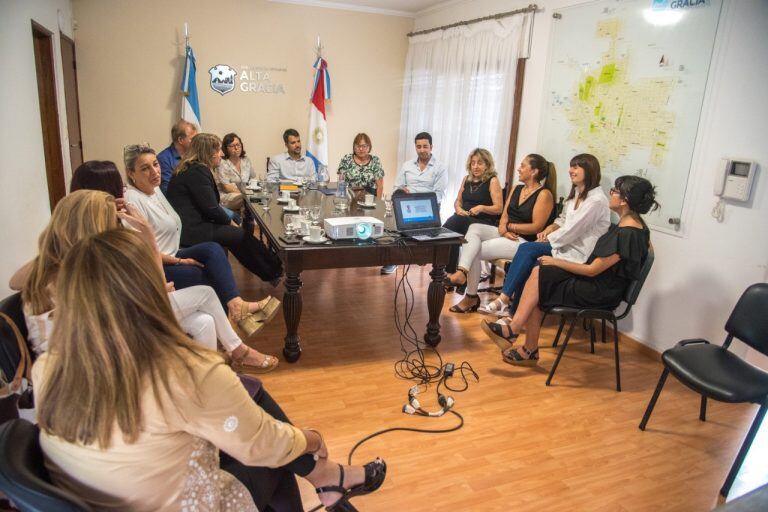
(698, 276)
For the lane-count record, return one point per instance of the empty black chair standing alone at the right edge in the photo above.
(716, 373)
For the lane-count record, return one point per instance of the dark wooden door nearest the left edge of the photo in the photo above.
(49, 112)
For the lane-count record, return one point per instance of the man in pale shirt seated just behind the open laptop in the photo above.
(425, 174)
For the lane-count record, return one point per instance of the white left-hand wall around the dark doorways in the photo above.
(24, 205)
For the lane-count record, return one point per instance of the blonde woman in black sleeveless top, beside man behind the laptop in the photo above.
(479, 199)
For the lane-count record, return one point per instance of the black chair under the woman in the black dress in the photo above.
(575, 314)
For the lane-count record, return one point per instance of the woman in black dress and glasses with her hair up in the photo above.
(599, 283)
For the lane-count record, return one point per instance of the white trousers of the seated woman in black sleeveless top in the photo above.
(484, 243)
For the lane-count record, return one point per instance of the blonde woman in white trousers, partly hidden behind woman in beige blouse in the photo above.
(88, 212)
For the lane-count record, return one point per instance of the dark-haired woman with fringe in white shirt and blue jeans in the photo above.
(572, 236)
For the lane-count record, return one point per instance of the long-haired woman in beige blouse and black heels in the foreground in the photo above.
(136, 422)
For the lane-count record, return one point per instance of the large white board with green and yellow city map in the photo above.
(625, 82)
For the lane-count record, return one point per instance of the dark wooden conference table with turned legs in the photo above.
(297, 257)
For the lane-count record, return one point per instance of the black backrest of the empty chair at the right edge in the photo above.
(749, 318)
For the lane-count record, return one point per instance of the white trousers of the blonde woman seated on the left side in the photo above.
(200, 314)
